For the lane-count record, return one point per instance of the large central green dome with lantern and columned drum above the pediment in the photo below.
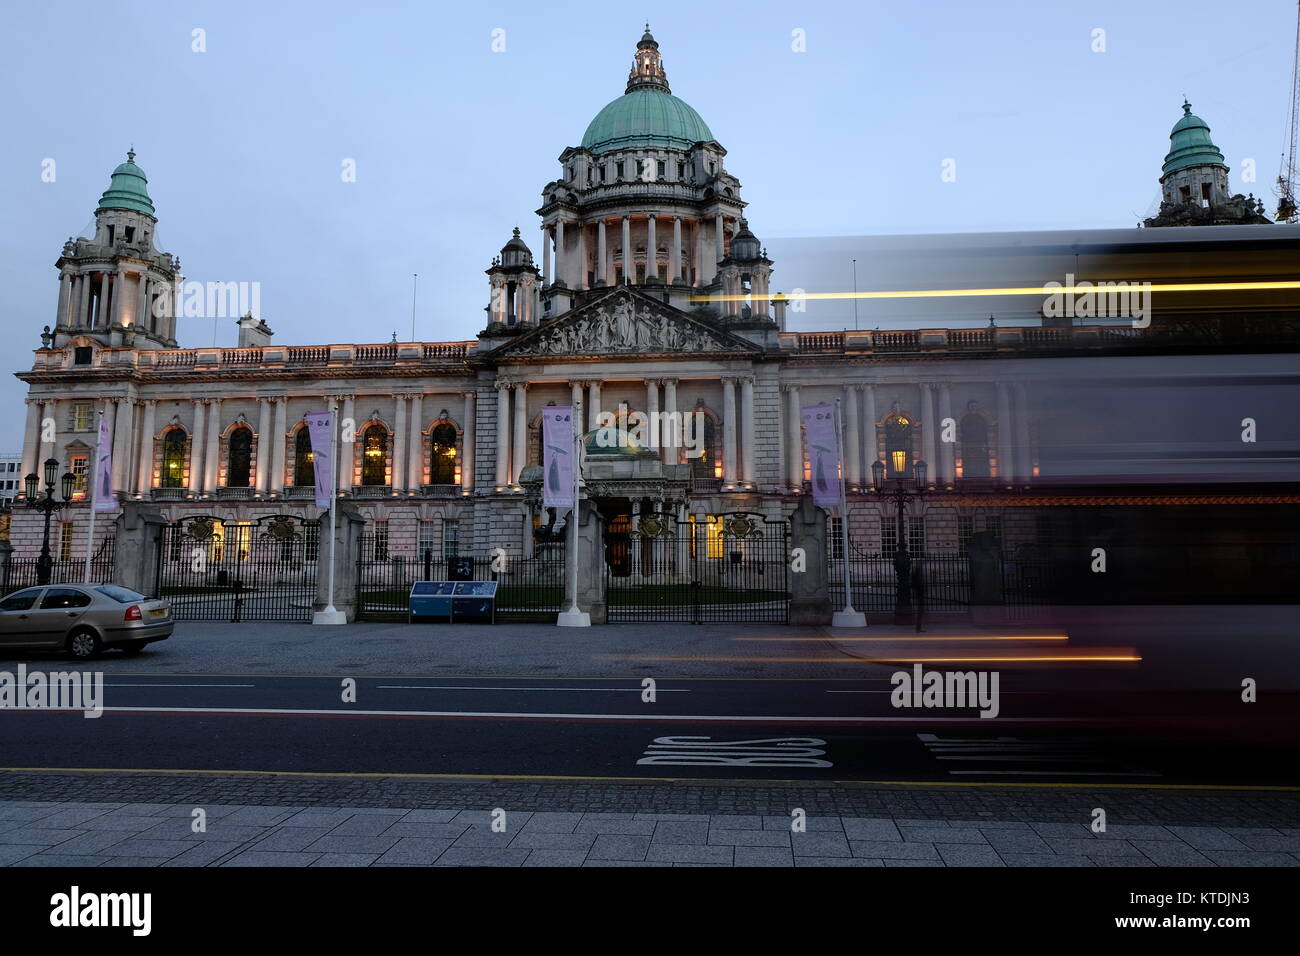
(647, 201)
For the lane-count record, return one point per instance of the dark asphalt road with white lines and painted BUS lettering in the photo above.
(606, 728)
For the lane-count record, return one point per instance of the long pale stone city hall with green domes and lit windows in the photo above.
(998, 456)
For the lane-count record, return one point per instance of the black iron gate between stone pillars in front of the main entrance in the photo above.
(731, 568)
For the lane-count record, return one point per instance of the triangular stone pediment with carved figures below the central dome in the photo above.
(625, 322)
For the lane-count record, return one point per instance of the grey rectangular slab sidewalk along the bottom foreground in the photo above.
(111, 834)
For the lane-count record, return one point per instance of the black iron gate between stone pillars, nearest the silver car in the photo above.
(263, 570)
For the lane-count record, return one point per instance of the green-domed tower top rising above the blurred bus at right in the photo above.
(1194, 181)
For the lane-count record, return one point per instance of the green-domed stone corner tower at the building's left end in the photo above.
(116, 287)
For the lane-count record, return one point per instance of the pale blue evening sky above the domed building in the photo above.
(453, 144)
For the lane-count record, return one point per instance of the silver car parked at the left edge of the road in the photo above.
(84, 618)
